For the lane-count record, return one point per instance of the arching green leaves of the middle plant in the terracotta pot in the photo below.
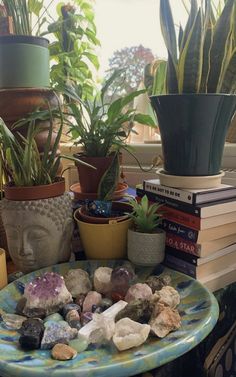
(101, 126)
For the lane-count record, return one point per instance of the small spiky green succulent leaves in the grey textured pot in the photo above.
(146, 217)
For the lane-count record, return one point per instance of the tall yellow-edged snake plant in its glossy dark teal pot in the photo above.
(200, 100)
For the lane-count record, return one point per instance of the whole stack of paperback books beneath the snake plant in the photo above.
(200, 230)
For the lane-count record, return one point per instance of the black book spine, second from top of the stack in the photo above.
(189, 208)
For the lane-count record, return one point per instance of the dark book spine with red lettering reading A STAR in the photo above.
(181, 244)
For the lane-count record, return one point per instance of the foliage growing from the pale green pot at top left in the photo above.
(28, 16)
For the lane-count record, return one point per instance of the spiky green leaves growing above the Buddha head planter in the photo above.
(20, 160)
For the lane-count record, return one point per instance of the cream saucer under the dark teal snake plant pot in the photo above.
(190, 182)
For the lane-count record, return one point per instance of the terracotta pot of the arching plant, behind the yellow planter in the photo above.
(89, 178)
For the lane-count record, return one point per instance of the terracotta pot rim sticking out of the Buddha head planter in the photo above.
(35, 192)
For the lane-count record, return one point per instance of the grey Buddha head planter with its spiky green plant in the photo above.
(36, 210)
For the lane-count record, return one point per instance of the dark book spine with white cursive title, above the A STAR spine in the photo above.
(180, 230)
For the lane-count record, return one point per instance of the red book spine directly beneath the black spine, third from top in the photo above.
(181, 217)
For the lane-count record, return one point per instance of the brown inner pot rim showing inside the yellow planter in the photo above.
(116, 206)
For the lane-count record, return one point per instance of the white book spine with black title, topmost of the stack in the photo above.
(169, 192)
